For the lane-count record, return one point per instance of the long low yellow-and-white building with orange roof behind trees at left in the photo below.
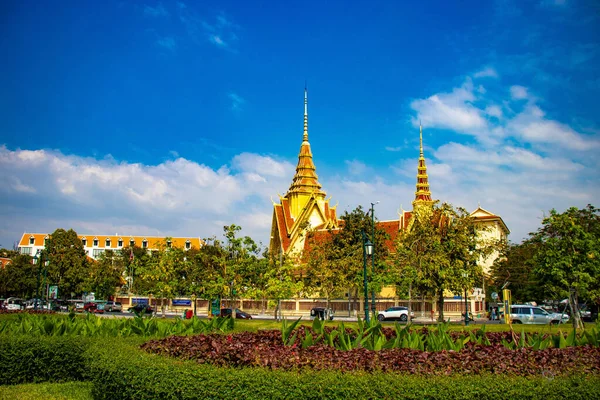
(94, 245)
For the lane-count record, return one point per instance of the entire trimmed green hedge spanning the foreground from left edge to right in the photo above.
(119, 370)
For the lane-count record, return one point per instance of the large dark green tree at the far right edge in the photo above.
(567, 259)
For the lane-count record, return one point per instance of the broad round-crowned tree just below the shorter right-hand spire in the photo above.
(440, 252)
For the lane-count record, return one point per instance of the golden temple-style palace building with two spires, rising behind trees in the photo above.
(305, 207)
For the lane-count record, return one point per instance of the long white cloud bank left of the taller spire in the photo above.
(45, 190)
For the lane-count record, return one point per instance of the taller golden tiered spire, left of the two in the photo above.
(306, 179)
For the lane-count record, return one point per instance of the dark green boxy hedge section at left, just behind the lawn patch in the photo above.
(27, 359)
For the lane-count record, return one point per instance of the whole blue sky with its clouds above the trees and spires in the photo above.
(176, 118)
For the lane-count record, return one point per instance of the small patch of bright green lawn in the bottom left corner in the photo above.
(47, 391)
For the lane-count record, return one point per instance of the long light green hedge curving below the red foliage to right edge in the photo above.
(123, 372)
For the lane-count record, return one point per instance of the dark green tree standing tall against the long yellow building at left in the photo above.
(68, 265)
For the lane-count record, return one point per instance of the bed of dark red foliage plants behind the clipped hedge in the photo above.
(265, 349)
